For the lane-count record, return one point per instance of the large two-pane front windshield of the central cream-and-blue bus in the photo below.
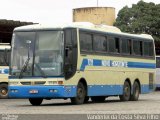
(37, 54)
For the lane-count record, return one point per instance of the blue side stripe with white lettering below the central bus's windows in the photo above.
(111, 63)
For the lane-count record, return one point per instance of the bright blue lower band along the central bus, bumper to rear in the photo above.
(67, 91)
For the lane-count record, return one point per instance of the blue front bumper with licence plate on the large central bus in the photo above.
(42, 91)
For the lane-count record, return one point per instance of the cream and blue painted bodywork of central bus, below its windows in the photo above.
(104, 74)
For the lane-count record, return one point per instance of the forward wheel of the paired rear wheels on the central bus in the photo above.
(126, 92)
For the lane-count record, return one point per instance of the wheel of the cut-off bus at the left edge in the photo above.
(3, 90)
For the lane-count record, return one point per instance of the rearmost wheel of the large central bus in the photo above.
(136, 92)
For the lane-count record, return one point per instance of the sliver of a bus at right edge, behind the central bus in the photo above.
(157, 72)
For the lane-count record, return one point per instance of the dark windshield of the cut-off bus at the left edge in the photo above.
(4, 57)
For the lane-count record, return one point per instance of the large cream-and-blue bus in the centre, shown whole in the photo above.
(80, 61)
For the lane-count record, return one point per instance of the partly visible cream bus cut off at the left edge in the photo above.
(4, 69)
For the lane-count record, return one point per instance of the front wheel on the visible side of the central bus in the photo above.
(80, 95)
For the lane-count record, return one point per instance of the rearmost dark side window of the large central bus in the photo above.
(148, 48)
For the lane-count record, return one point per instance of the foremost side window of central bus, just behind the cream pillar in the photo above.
(86, 41)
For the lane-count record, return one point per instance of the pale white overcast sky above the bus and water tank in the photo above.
(57, 11)
